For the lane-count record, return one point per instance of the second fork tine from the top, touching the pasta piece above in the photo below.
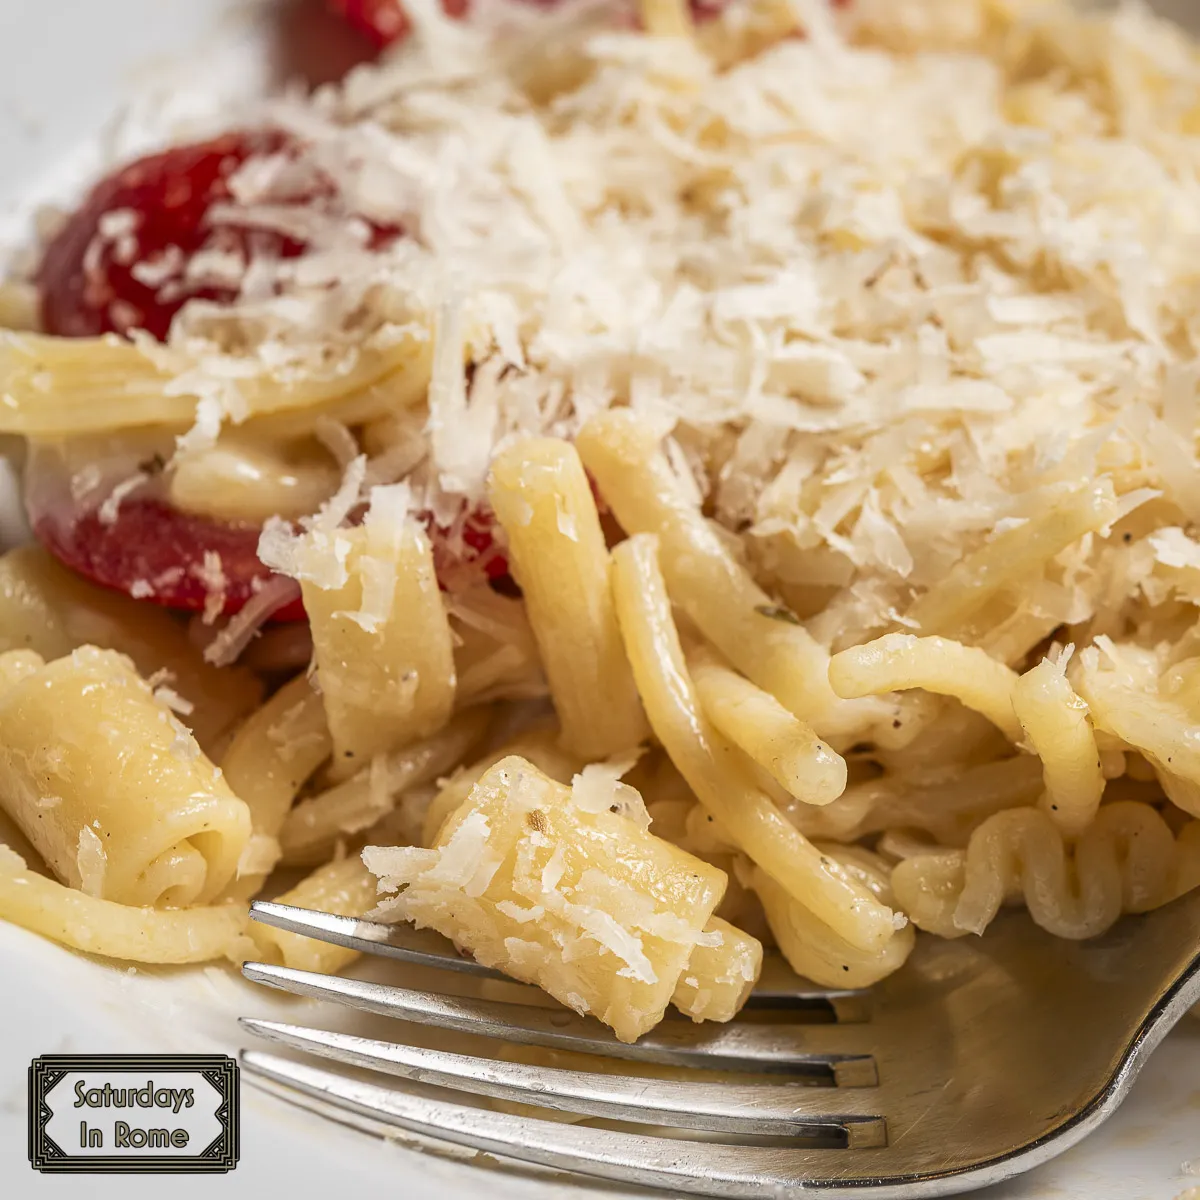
(746, 1048)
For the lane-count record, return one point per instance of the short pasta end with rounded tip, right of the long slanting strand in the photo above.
(781, 743)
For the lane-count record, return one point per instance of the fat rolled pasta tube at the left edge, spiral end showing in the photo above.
(110, 788)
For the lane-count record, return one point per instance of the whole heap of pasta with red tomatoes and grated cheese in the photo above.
(638, 511)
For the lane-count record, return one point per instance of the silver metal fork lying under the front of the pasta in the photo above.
(979, 1061)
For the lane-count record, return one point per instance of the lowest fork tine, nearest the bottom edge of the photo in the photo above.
(736, 1173)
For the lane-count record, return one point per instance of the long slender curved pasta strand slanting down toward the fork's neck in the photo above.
(716, 771)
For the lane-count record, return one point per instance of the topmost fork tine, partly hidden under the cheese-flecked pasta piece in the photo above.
(407, 945)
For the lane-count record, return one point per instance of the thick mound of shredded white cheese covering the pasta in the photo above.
(883, 285)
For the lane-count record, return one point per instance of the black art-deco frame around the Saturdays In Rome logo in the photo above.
(219, 1157)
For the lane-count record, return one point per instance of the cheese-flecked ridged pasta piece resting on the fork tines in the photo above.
(579, 901)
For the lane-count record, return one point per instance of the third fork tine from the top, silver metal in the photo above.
(785, 1111)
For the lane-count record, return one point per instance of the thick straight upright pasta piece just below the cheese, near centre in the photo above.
(557, 555)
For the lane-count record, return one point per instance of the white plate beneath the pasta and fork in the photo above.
(68, 68)
